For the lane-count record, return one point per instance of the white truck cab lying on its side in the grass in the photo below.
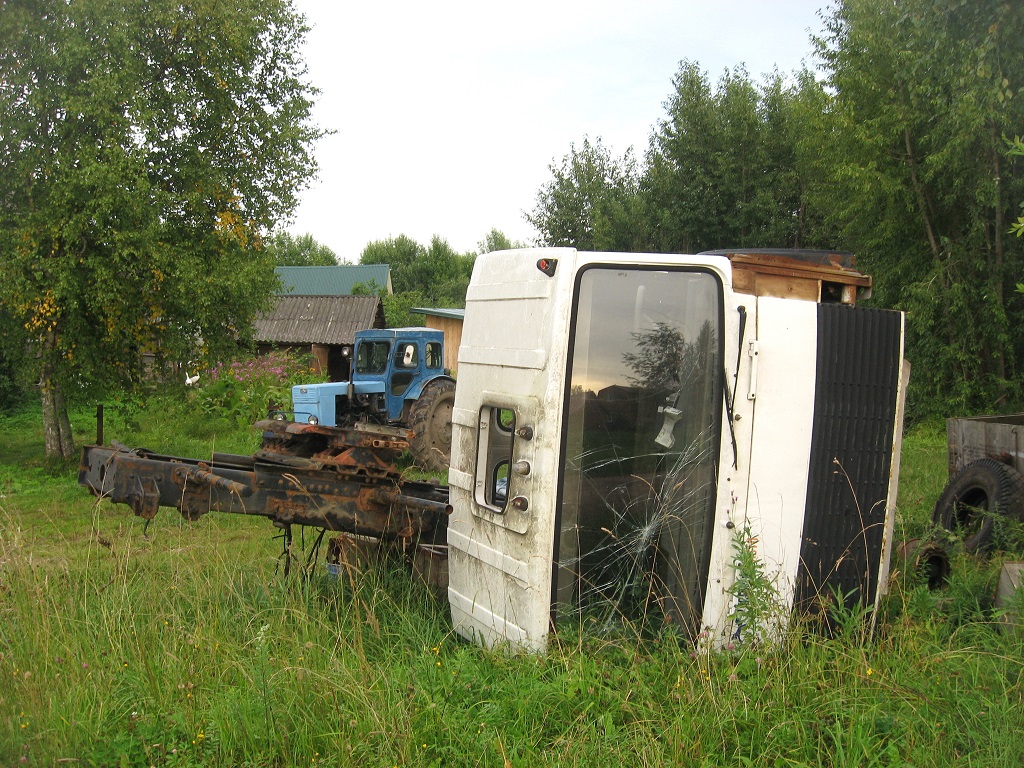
(620, 419)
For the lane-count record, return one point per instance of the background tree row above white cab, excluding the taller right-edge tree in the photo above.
(730, 166)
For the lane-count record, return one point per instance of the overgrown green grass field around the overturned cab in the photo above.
(183, 645)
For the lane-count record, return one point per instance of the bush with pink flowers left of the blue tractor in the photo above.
(242, 392)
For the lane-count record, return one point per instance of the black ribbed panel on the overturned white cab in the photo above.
(859, 369)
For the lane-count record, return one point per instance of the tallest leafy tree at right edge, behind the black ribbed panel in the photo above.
(924, 187)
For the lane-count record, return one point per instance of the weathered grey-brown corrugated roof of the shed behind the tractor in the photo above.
(320, 320)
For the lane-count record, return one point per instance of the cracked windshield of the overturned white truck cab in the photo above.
(644, 424)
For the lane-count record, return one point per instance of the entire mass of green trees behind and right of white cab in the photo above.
(895, 150)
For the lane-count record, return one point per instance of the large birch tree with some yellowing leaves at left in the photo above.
(145, 147)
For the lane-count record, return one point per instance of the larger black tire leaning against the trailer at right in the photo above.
(975, 496)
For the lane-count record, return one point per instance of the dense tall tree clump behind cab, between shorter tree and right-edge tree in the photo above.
(726, 168)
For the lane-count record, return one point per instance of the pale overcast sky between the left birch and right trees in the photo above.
(448, 115)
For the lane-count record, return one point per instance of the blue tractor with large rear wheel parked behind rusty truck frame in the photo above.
(400, 395)
